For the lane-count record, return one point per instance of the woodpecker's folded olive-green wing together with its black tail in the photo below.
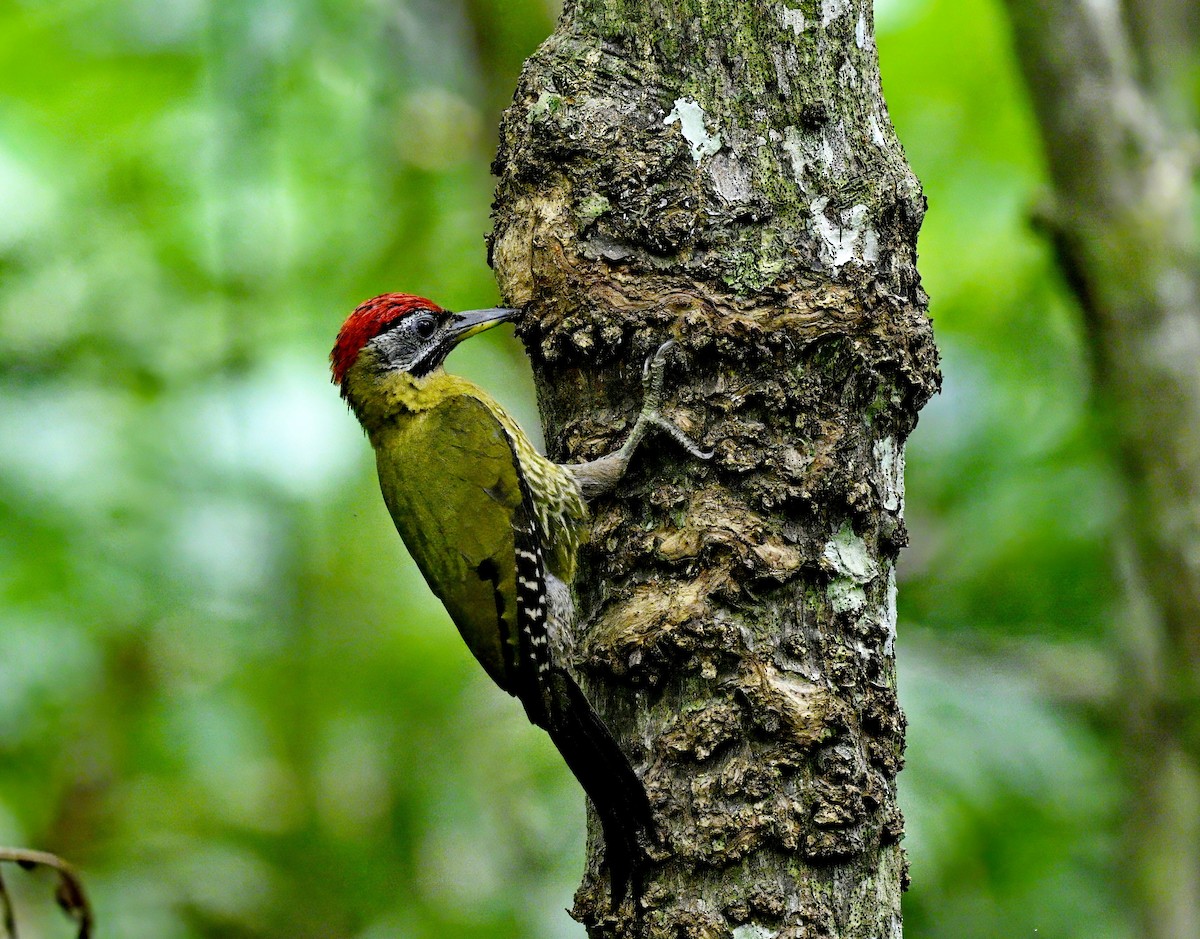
(454, 486)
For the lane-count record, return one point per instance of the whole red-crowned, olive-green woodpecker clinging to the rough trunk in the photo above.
(495, 528)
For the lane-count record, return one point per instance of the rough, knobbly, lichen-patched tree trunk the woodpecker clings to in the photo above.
(725, 174)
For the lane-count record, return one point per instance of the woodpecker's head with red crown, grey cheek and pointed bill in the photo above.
(403, 333)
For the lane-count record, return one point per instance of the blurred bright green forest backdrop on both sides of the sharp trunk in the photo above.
(225, 691)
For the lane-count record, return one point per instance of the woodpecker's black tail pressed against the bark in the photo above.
(604, 771)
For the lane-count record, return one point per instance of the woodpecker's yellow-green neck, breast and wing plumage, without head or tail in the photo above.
(455, 469)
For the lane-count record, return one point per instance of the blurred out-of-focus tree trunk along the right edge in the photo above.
(1108, 98)
